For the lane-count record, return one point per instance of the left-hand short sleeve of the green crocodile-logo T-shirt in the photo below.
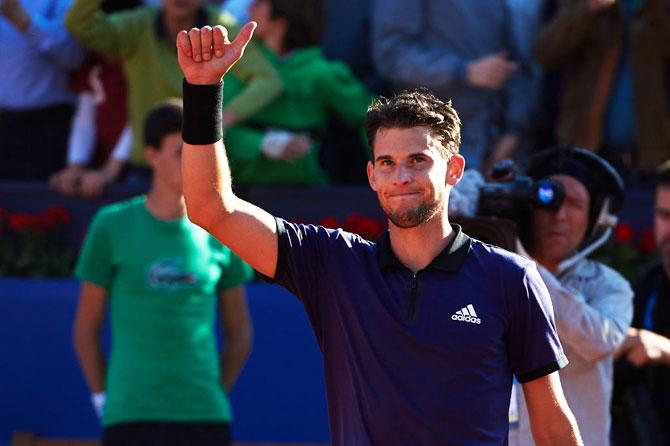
(95, 258)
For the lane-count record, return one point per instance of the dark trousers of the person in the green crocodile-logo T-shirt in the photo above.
(167, 434)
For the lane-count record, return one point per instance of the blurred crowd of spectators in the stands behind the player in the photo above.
(78, 78)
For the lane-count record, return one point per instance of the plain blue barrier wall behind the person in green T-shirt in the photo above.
(279, 397)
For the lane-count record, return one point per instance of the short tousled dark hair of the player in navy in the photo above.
(417, 108)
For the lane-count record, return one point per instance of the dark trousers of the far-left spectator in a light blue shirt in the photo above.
(33, 143)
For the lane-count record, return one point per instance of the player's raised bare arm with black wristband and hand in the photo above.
(205, 55)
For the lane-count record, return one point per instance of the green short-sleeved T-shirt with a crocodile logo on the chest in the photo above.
(162, 279)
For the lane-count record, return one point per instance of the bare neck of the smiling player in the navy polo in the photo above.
(416, 247)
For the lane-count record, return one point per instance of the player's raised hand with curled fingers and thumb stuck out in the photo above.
(206, 54)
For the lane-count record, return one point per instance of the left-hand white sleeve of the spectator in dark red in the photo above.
(82, 133)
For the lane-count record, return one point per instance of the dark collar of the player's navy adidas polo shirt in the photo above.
(450, 259)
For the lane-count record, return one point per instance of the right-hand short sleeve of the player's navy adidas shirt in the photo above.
(534, 347)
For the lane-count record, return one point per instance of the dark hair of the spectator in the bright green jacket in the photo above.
(306, 19)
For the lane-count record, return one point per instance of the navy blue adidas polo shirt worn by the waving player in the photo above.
(423, 359)
